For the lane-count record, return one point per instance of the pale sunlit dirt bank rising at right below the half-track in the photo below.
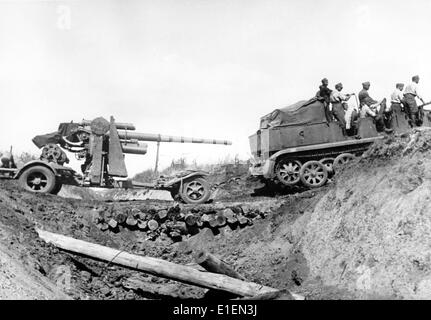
(370, 233)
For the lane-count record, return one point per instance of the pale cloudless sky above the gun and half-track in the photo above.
(197, 68)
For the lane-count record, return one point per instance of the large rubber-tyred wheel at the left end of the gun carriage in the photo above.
(37, 179)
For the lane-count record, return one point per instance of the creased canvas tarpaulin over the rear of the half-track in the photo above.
(300, 113)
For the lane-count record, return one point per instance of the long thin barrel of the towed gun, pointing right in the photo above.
(164, 138)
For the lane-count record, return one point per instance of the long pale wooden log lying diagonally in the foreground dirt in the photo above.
(156, 266)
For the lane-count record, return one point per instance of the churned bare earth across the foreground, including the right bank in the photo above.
(338, 242)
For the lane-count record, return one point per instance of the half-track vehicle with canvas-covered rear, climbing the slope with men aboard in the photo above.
(299, 144)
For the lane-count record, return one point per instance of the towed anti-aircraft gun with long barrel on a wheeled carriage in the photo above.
(102, 146)
